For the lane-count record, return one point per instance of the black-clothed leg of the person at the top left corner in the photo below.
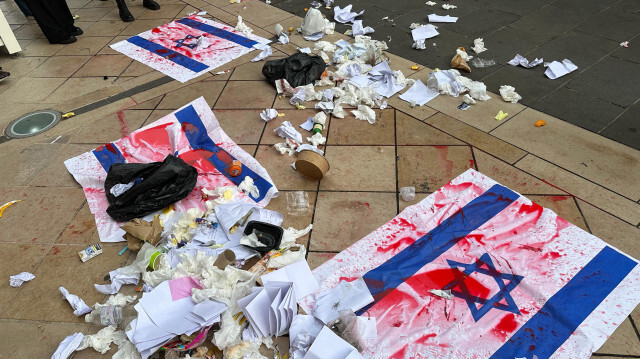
(54, 19)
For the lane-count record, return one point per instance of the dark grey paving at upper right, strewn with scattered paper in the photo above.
(602, 96)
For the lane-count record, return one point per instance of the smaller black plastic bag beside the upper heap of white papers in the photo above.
(298, 69)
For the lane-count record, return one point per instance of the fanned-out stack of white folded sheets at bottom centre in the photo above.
(269, 310)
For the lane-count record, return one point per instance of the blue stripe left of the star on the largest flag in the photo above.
(388, 276)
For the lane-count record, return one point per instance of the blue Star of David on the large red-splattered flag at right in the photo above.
(479, 306)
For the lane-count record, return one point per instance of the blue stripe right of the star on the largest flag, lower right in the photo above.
(552, 325)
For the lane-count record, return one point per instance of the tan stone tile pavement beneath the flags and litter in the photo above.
(587, 179)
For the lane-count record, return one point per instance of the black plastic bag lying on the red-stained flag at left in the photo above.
(156, 186)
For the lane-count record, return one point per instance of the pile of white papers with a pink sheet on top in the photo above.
(168, 311)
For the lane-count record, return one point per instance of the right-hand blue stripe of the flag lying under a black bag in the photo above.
(199, 139)
